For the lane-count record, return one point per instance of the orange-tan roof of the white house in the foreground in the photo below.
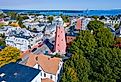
(49, 65)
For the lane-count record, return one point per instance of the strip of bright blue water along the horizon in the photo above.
(70, 12)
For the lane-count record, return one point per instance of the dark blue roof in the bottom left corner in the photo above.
(14, 72)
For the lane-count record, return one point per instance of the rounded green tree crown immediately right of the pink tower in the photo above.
(85, 41)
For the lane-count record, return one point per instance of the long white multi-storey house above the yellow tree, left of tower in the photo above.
(23, 43)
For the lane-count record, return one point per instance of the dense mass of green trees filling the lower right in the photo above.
(94, 58)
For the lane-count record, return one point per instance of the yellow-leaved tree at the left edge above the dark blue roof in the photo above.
(9, 54)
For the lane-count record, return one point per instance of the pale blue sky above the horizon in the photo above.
(60, 4)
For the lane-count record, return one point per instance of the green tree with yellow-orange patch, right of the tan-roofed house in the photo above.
(76, 69)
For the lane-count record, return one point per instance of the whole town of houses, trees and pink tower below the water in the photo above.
(59, 48)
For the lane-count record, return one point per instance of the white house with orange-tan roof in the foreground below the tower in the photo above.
(50, 67)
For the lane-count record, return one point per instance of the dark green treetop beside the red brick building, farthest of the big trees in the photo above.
(93, 25)
